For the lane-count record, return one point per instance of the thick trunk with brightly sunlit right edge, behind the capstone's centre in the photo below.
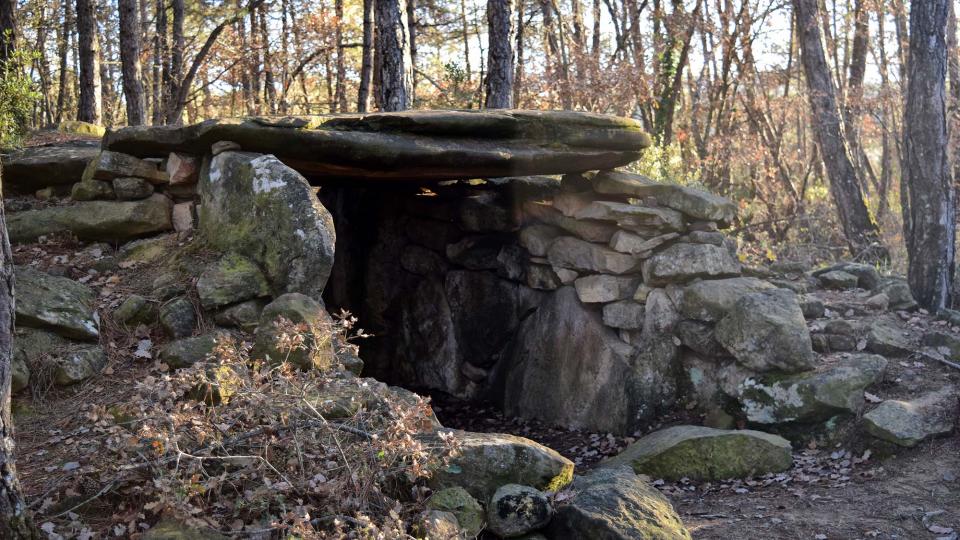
(393, 48)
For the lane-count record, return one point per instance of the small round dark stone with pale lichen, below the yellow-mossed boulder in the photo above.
(515, 510)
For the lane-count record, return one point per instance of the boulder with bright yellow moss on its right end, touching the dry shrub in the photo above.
(490, 460)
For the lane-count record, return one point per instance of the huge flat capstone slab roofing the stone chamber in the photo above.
(421, 145)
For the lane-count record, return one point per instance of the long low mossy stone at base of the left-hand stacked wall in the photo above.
(112, 221)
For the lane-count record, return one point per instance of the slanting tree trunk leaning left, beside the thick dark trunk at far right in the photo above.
(861, 232)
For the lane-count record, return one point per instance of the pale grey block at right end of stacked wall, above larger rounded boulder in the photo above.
(681, 263)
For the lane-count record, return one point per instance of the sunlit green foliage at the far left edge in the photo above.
(17, 97)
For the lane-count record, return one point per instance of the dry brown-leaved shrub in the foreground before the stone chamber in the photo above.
(240, 445)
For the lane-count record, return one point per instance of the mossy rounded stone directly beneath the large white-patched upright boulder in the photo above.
(231, 279)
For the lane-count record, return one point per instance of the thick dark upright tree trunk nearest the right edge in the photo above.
(929, 215)
